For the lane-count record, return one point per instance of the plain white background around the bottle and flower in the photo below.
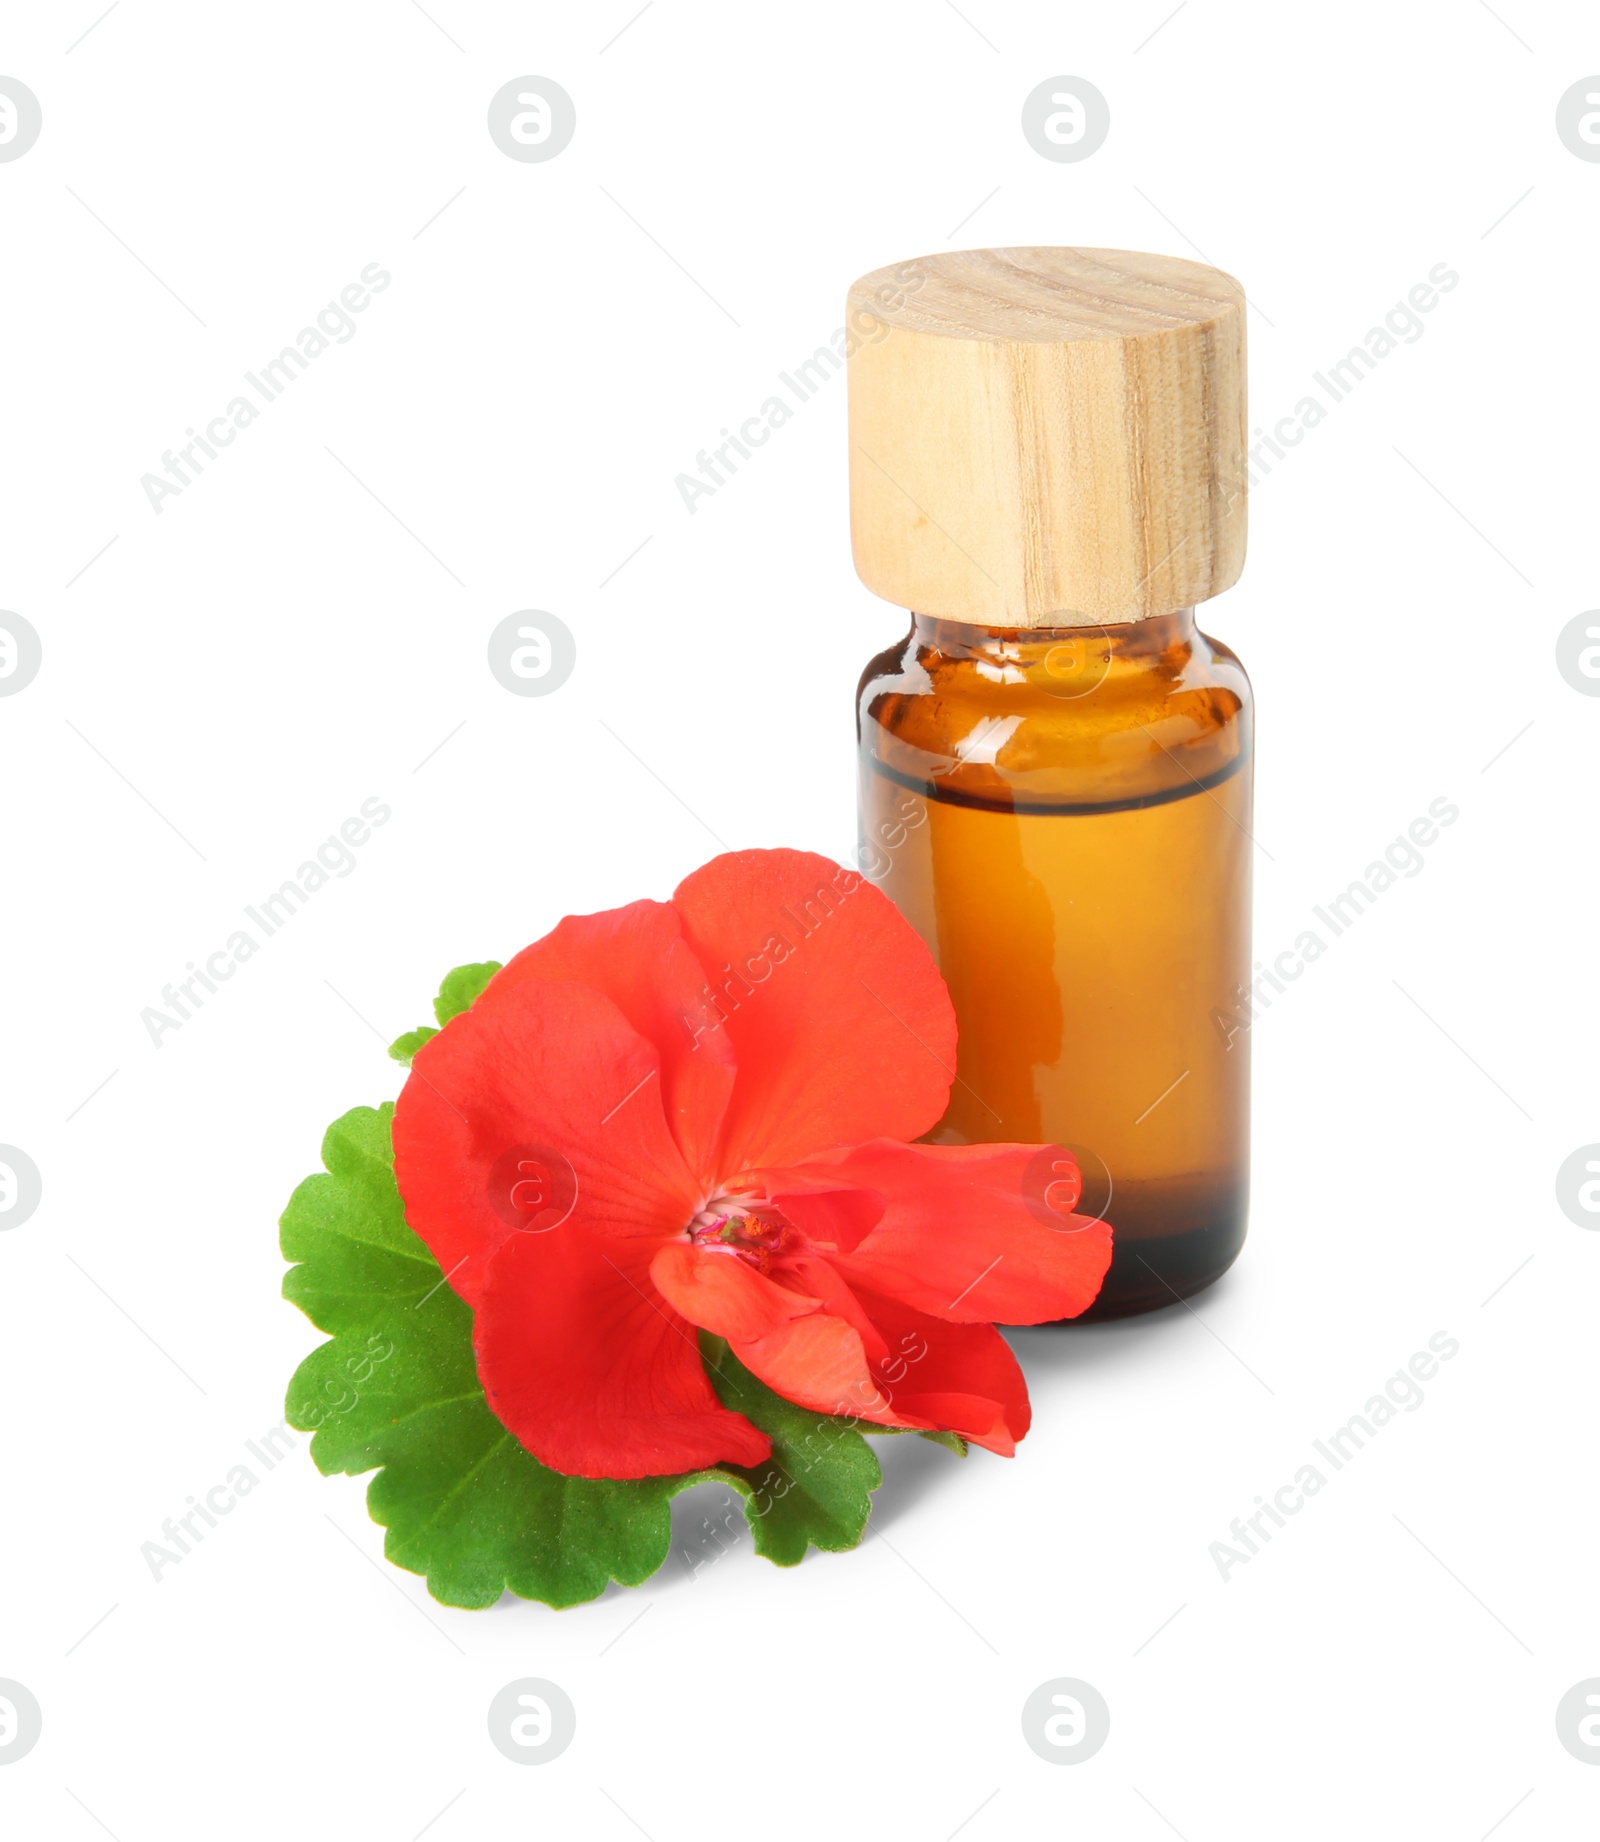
(231, 679)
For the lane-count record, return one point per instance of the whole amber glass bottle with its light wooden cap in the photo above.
(1056, 765)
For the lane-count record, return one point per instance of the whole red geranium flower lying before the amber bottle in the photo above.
(695, 1113)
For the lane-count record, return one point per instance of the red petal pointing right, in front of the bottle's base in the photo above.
(966, 1231)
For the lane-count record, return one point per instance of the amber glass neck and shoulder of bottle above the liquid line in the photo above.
(1093, 717)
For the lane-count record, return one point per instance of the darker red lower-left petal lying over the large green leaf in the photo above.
(592, 1371)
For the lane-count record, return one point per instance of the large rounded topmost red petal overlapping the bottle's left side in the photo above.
(841, 1023)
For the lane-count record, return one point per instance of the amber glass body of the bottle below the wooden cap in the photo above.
(1095, 946)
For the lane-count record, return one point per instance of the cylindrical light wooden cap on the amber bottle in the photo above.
(1047, 437)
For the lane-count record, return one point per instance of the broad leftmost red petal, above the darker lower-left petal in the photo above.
(557, 1073)
